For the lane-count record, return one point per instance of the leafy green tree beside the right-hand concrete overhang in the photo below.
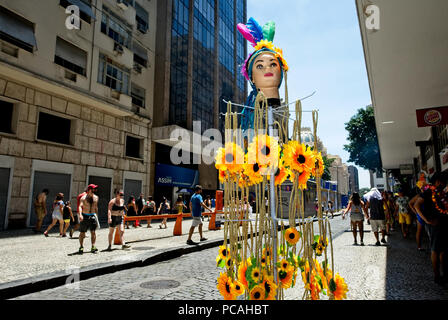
(363, 141)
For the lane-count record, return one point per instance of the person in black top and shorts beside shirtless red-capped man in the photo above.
(115, 214)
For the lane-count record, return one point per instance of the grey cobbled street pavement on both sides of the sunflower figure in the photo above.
(394, 271)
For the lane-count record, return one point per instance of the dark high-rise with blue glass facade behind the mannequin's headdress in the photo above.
(198, 56)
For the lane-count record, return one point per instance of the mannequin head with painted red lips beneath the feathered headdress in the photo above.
(266, 74)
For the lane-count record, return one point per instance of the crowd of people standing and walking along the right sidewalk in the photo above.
(428, 208)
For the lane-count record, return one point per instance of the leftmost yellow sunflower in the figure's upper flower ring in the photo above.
(230, 158)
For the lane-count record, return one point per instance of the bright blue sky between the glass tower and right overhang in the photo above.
(321, 42)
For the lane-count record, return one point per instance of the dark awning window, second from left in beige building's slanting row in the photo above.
(70, 57)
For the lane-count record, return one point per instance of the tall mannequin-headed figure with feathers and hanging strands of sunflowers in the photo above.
(258, 263)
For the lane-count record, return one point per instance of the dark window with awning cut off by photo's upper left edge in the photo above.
(17, 30)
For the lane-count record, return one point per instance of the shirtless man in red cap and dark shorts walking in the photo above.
(87, 209)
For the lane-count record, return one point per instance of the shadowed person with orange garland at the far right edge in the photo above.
(430, 206)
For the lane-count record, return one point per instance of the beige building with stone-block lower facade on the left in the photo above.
(76, 97)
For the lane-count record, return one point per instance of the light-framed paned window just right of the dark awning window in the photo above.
(112, 75)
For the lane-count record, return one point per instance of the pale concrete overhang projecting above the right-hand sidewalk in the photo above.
(407, 70)
